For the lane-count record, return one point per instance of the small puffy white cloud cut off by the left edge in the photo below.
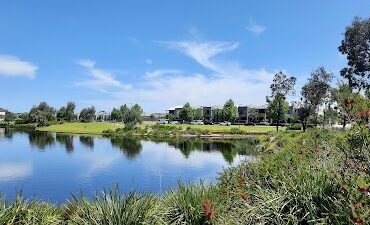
(12, 66)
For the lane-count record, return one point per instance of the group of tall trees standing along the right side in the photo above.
(347, 102)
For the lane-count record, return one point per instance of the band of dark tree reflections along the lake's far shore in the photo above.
(131, 147)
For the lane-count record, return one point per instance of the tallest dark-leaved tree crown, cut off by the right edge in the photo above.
(356, 46)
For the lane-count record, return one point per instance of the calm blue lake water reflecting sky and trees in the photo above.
(51, 166)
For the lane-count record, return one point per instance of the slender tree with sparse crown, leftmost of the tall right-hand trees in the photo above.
(281, 87)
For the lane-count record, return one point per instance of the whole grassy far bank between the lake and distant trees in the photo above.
(153, 129)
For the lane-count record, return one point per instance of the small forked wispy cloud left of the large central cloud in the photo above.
(102, 81)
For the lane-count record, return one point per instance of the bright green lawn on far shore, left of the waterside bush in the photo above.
(81, 128)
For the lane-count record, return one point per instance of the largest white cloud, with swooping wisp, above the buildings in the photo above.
(163, 88)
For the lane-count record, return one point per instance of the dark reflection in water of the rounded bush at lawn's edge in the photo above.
(130, 147)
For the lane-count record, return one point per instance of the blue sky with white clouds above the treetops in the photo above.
(163, 53)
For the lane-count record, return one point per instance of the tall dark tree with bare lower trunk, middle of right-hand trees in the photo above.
(317, 90)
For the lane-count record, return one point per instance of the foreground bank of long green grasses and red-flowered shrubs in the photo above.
(317, 177)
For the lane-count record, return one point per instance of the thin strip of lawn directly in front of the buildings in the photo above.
(219, 128)
